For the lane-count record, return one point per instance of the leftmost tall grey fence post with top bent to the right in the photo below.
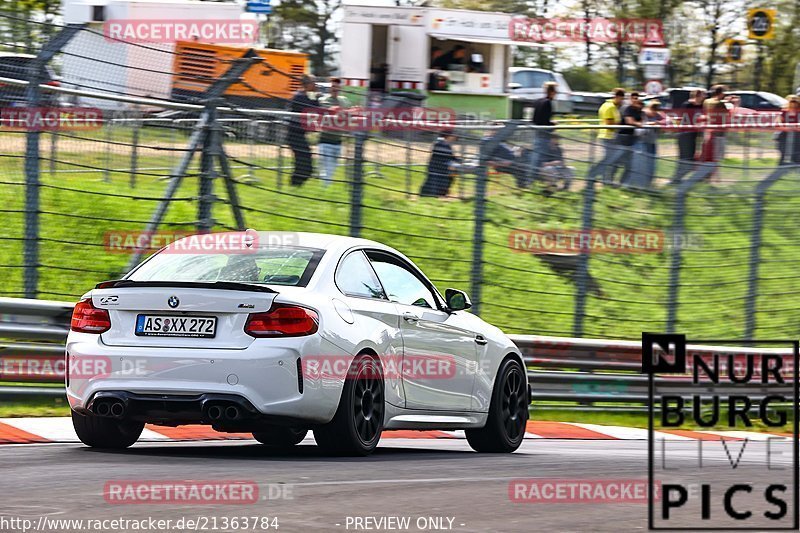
(32, 155)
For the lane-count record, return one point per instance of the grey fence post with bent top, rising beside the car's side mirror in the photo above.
(481, 175)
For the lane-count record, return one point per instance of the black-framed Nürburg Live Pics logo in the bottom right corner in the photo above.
(723, 434)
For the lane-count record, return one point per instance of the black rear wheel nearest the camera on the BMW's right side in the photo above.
(358, 423)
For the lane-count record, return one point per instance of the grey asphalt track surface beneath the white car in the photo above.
(415, 478)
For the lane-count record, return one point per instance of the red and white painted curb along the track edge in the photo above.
(59, 429)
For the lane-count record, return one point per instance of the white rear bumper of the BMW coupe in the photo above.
(267, 375)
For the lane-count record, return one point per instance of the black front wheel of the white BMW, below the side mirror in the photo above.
(508, 412)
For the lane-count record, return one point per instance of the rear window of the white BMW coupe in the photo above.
(291, 266)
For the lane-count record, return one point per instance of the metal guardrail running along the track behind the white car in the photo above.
(575, 373)
